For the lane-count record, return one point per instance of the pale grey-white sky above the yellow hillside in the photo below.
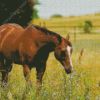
(47, 8)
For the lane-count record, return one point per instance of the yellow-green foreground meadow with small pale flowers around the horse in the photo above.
(82, 84)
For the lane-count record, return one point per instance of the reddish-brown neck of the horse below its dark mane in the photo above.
(44, 38)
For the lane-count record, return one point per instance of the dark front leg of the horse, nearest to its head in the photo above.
(40, 72)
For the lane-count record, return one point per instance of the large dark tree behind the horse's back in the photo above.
(16, 11)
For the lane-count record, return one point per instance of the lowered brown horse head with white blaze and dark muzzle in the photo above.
(63, 54)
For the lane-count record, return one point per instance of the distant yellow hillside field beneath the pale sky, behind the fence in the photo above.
(68, 23)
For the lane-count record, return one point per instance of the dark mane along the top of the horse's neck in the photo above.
(47, 32)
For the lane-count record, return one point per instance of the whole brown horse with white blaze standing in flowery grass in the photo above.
(30, 47)
